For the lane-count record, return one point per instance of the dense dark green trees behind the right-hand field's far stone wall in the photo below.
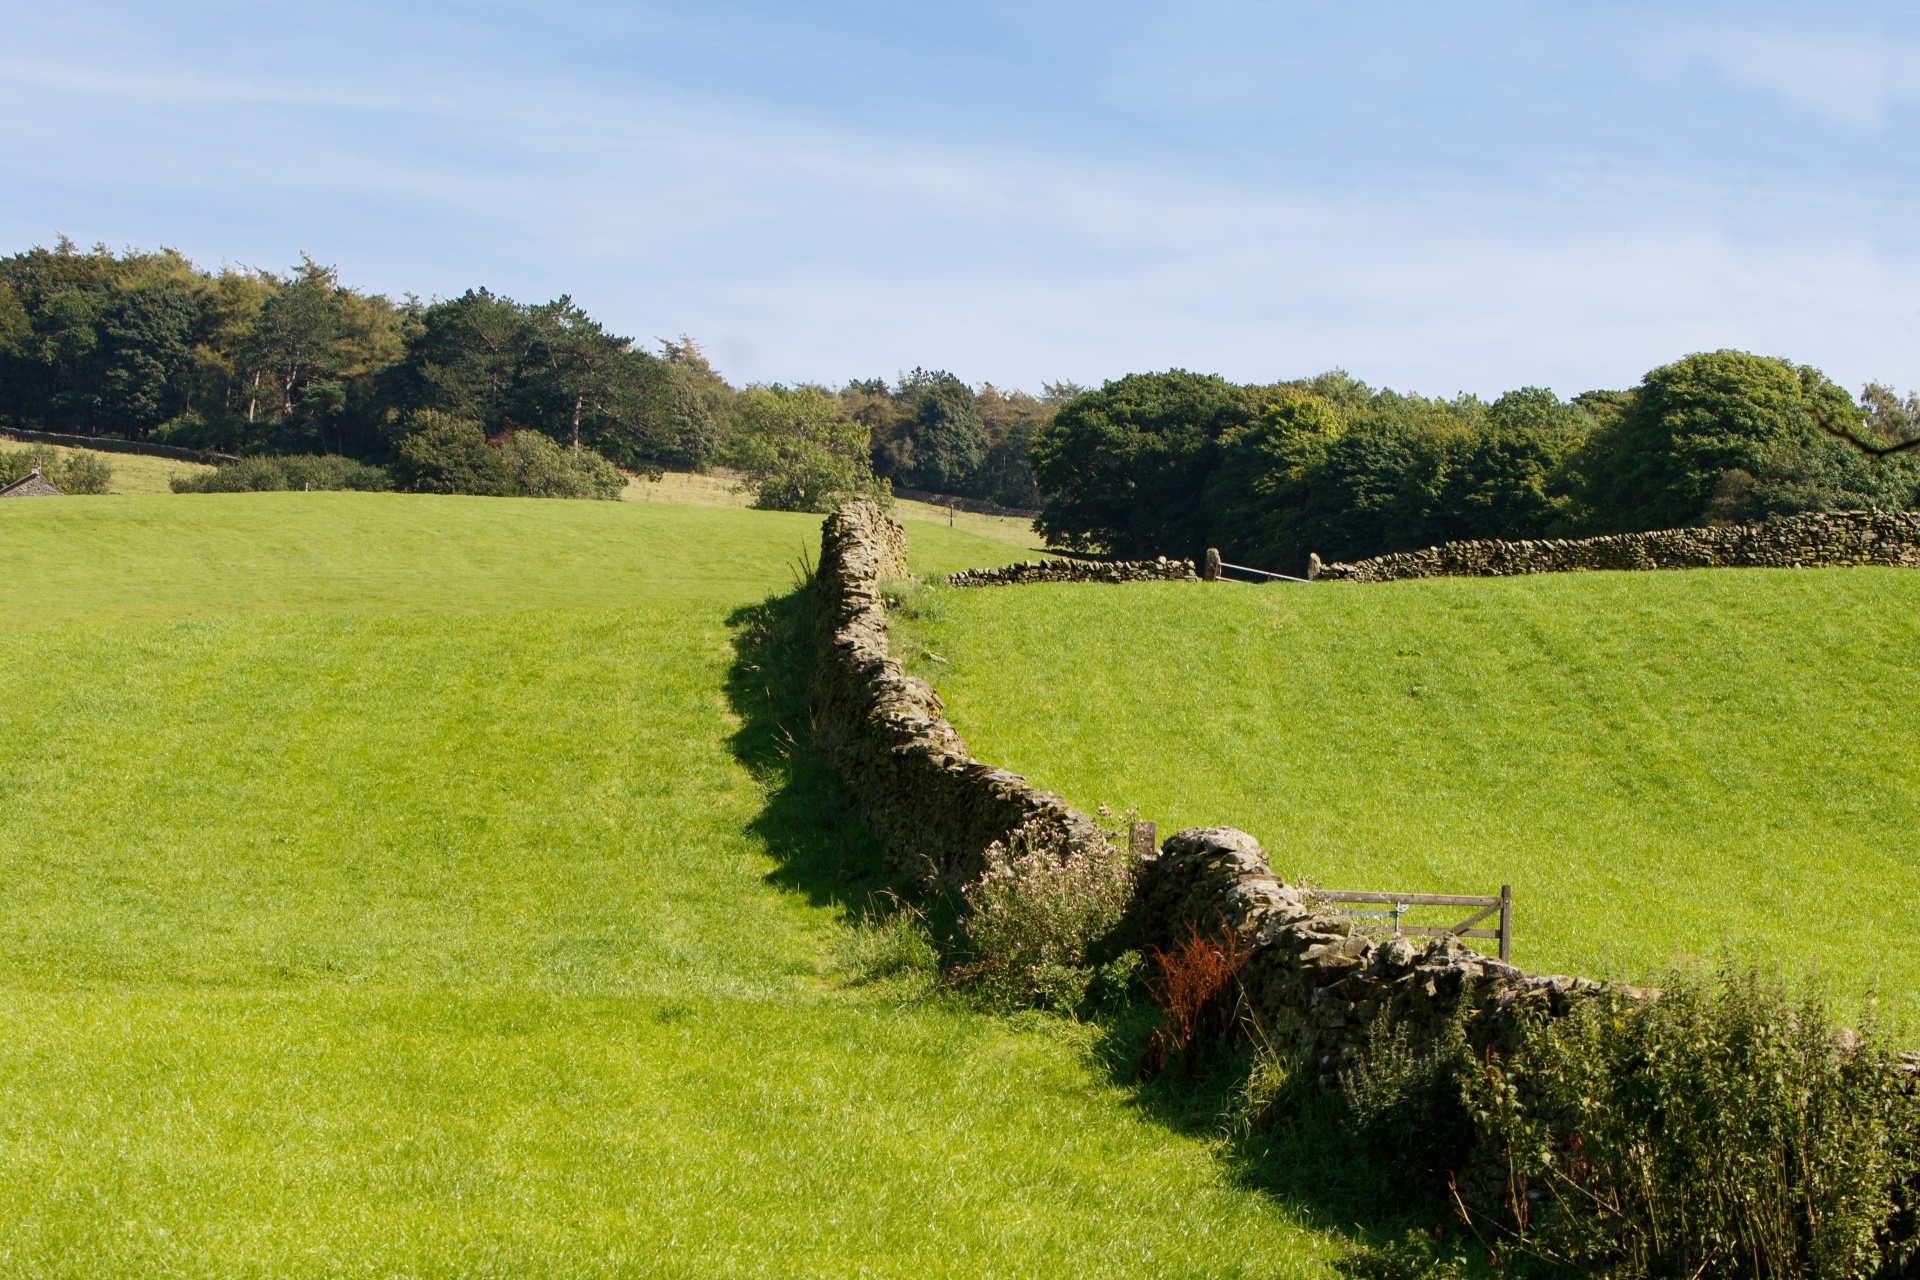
(1174, 463)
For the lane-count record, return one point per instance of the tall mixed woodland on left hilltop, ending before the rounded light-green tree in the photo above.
(147, 346)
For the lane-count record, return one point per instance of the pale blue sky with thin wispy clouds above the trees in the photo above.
(1439, 199)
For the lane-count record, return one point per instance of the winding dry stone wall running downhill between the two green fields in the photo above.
(1312, 976)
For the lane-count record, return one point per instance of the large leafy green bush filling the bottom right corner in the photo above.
(1723, 1129)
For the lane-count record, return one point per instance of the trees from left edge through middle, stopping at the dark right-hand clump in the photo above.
(149, 346)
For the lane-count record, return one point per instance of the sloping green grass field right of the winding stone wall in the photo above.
(1660, 765)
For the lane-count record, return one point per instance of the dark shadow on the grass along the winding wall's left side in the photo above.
(1307, 1160)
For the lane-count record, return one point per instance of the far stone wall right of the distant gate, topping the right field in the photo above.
(1815, 540)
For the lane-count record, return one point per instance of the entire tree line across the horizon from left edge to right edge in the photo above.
(485, 394)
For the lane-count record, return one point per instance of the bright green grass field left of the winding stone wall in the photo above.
(427, 888)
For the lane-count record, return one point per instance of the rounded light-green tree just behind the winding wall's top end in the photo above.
(800, 454)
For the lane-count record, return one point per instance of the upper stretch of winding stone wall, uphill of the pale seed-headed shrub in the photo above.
(934, 807)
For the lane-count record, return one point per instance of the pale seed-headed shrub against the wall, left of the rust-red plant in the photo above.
(1036, 913)
